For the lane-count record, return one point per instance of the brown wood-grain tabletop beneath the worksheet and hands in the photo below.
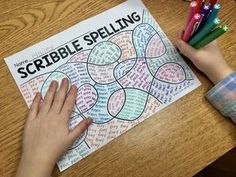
(178, 141)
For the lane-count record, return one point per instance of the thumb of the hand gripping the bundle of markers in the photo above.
(186, 49)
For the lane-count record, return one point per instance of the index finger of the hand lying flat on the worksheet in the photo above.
(70, 102)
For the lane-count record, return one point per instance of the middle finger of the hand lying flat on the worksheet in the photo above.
(60, 96)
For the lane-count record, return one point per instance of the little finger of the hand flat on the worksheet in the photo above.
(34, 109)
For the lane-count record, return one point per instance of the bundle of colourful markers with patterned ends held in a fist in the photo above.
(202, 23)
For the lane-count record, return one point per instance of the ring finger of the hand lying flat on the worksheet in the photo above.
(48, 99)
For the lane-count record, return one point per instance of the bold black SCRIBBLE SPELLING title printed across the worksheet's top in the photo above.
(69, 49)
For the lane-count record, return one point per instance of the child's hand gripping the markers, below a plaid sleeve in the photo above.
(209, 60)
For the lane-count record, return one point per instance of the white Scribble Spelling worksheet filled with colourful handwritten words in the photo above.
(123, 64)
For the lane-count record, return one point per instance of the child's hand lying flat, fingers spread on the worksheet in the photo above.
(46, 135)
